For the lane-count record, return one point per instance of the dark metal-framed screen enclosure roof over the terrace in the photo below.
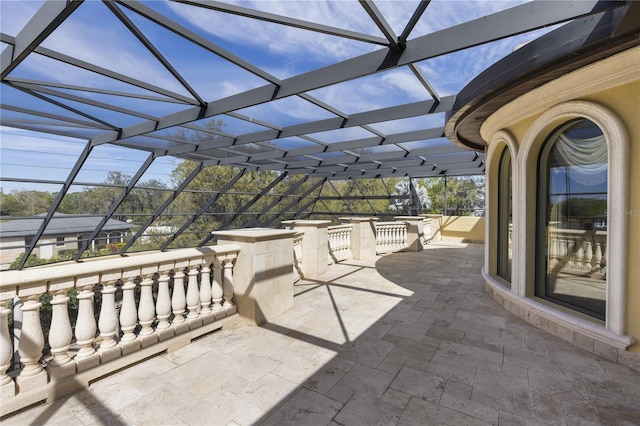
(326, 90)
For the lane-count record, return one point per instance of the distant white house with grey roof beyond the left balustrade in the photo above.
(64, 232)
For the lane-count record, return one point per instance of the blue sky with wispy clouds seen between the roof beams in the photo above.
(94, 34)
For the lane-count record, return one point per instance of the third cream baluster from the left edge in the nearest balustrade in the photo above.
(60, 335)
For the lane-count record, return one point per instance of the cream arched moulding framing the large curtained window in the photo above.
(616, 257)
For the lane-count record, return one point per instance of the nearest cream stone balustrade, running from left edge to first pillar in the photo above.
(151, 311)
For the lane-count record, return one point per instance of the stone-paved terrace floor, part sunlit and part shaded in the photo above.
(407, 339)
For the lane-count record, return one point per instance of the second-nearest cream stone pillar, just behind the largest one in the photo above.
(315, 245)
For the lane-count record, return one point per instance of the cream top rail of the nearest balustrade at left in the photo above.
(99, 267)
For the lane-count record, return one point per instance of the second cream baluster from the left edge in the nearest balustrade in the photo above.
(31, 344)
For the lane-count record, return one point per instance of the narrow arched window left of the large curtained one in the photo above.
(505, 215)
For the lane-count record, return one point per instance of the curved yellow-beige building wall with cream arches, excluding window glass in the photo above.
(608, 92)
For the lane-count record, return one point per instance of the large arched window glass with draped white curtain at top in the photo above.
(572, 205)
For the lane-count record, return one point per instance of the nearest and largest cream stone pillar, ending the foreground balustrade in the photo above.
(263, 272)
